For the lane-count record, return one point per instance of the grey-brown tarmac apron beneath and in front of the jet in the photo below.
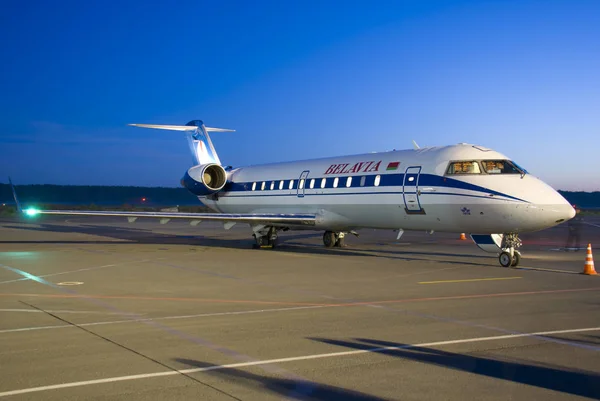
(101, 309)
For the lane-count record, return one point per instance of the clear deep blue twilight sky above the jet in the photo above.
(296, 79)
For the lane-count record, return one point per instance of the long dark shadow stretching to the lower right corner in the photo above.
(574, 382)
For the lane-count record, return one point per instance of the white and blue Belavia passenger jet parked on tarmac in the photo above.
(462, 188)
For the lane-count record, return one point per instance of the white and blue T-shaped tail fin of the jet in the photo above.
(203, 151)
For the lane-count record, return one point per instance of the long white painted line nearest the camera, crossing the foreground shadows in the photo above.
(289, 359)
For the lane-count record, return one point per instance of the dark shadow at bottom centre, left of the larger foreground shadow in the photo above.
(290, 388)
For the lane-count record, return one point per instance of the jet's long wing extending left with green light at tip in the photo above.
(194, 218)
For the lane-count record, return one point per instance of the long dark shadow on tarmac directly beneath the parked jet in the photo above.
(287, 243)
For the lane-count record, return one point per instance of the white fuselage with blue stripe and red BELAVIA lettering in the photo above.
(408, 189)
